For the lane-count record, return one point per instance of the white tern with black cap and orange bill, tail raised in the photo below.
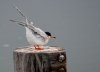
(35, 36)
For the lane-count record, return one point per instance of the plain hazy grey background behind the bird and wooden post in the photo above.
(76, 23)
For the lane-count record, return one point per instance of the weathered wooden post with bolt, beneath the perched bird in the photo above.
(52, 59)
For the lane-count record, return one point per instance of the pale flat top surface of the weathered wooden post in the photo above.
(49, 49)
